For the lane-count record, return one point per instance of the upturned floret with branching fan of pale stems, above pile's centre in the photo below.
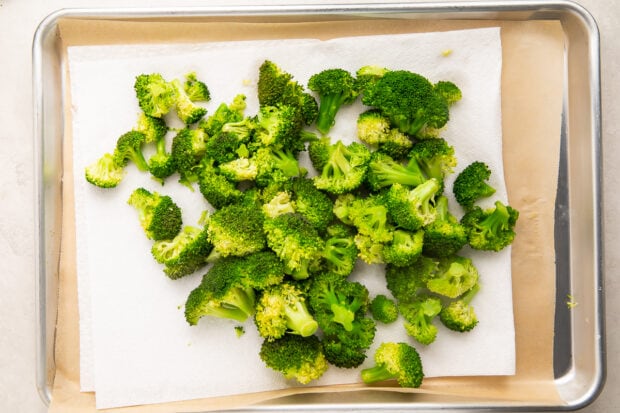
(342, 168)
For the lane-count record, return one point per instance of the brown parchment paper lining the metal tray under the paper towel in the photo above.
(534, 356)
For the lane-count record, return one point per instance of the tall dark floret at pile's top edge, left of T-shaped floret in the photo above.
(277, 88)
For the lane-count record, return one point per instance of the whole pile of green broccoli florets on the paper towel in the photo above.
(279, 239)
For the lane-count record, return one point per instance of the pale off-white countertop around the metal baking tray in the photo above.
(18, 23)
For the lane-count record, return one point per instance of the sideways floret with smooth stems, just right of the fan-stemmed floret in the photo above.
(383, 171)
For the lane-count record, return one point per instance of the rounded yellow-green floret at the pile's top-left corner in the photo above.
(155, 95)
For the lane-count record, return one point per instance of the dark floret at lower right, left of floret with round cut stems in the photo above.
(406, 282)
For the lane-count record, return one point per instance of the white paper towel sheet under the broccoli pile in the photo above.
(136, 347)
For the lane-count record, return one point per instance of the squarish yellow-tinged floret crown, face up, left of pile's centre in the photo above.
(236, 229)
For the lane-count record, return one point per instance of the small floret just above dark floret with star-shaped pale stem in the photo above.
(340, 253)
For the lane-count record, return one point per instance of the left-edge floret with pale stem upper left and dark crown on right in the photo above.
(159, 216)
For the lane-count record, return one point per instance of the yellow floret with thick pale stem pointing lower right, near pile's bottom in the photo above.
(282, 309)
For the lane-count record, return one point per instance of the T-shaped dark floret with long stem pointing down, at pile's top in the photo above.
(335, 88)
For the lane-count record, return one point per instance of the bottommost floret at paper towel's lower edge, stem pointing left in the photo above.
(399, 361)
